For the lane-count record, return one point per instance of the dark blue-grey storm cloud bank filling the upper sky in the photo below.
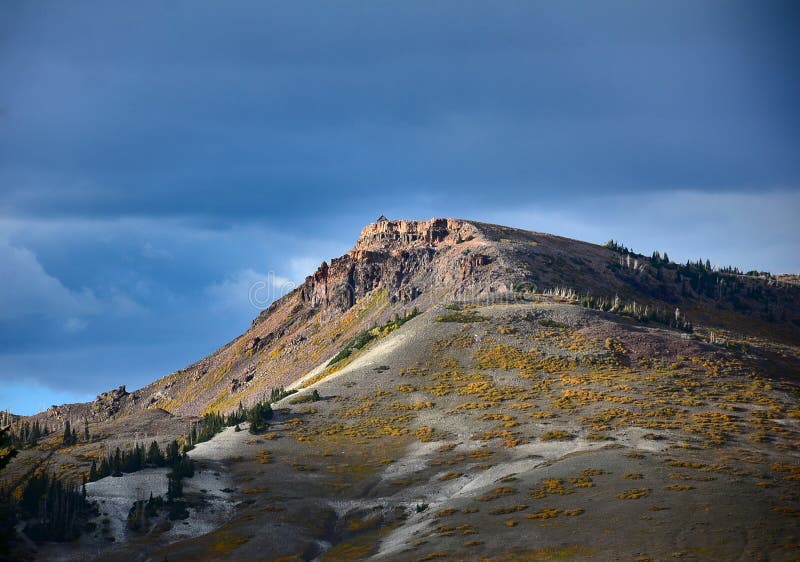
(117, 109)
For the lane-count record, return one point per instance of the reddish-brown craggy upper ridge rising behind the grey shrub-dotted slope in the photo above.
(399, 265)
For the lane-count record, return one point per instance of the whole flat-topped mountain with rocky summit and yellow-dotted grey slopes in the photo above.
(470, 391)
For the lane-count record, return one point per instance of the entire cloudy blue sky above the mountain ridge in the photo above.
(159, 160)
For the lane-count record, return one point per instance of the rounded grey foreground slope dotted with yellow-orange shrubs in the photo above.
(528, 434)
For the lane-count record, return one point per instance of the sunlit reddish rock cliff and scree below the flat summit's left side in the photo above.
(393, 267)
